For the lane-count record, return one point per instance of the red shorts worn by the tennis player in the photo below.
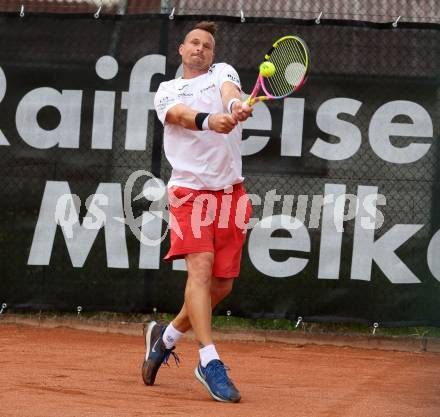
(210, 221)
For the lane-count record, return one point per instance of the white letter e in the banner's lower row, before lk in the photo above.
(261, 242)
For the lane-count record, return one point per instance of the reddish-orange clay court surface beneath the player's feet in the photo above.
(64, 372)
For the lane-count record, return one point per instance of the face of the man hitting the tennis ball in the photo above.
(197, 50)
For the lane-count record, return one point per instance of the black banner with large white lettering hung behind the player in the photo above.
(344, 175)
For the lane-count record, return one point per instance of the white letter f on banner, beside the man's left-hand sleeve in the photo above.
(139, 100)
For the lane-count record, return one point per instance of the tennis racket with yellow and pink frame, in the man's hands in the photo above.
(284, 70)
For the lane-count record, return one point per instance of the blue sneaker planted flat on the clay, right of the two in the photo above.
(216, 381)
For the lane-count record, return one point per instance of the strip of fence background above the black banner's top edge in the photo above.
(368, 10)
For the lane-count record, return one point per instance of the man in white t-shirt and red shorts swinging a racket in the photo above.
(202, 114)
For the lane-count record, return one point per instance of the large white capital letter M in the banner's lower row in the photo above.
(82, 236)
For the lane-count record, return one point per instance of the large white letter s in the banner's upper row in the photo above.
(349, 135)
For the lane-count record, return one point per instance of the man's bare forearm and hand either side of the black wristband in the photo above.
(184, 116)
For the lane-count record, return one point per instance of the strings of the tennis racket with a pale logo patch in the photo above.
(290, 61)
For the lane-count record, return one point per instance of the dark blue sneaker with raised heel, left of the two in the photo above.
(155, 352)
